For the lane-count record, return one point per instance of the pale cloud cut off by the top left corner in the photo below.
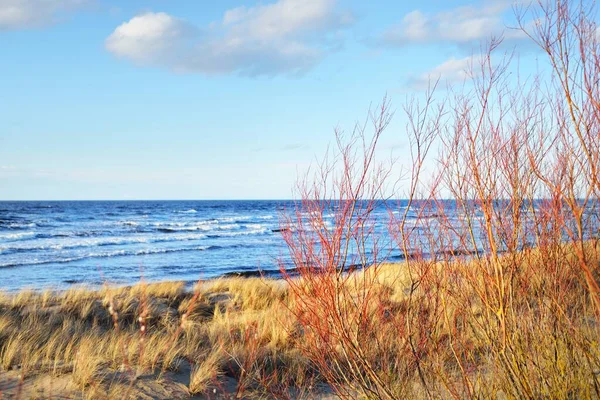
(23, 14)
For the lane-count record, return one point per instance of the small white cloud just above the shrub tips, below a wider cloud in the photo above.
(449, 72)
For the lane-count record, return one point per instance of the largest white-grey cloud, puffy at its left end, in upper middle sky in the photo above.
(288, 36)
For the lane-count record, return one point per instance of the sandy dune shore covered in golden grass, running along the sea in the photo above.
(246, 336)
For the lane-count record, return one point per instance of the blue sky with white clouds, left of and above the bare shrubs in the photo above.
(157, 99)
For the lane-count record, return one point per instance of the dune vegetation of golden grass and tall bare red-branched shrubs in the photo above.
(497, 294)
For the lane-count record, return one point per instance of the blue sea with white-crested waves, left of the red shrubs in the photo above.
(56, 244)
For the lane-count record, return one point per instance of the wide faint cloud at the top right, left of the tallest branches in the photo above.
(458, 25)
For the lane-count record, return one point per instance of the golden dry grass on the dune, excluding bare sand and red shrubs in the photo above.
(243, 329)
